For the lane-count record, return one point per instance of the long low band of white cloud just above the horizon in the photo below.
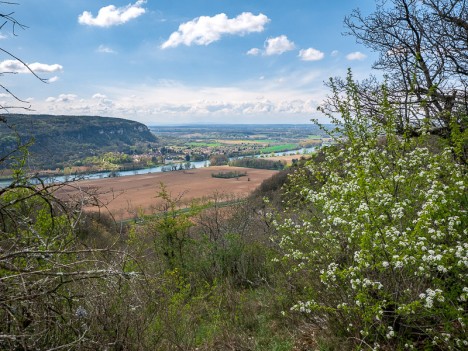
(260, 100)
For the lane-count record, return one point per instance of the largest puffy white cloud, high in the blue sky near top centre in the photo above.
(204, 30)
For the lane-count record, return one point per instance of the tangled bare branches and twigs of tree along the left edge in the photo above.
(44, 266)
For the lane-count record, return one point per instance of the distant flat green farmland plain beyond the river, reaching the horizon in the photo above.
(199, 142)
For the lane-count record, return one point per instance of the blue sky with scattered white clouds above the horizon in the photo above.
(164, 62)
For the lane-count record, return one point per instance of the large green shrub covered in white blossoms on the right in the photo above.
(378, 229)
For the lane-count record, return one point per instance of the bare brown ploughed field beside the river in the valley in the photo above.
(126, 196)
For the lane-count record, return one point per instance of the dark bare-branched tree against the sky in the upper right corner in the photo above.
(423, 53)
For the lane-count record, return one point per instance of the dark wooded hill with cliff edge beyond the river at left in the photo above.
(61, 140)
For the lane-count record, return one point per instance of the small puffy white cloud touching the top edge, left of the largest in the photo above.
(111, 15)
